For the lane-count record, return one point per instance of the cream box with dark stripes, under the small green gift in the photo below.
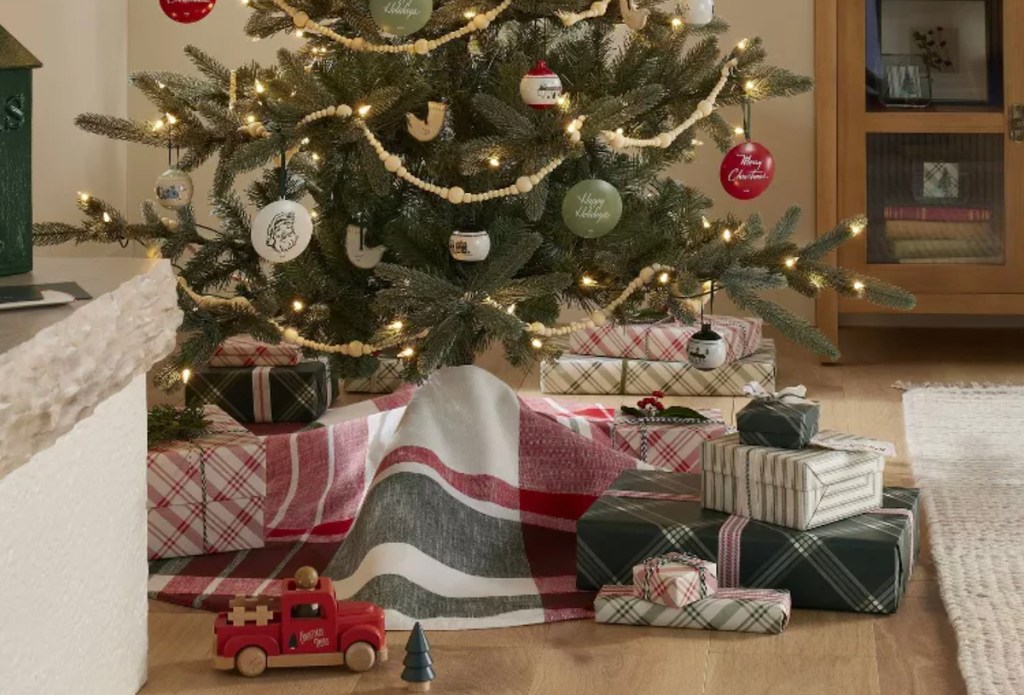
(800, 490)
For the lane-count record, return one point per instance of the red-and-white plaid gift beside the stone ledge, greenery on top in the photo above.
(207, 496)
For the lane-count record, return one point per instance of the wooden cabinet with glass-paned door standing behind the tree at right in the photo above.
(920, 127)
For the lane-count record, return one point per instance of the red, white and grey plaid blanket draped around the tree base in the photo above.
(454, 505)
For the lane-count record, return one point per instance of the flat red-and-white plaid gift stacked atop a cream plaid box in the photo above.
(667, 341)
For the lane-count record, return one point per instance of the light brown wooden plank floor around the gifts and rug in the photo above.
(911, 654)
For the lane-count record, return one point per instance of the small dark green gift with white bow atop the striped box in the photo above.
(785, 420)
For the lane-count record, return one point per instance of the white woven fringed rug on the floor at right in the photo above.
(967, 446)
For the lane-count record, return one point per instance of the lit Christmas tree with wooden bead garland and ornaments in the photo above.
(470, 170)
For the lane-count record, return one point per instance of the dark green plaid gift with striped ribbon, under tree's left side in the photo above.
(266, 395)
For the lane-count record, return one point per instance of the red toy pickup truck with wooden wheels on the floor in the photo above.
(309, 628)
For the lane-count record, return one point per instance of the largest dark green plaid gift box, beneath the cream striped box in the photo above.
(862, 564)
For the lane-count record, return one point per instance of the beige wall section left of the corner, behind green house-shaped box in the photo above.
(83, 48)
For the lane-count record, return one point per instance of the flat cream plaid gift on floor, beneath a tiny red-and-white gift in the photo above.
(738, 611)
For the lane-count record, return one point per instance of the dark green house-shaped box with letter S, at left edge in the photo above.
(17, 65)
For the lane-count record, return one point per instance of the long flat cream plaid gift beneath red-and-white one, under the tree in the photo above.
(612, 376)
